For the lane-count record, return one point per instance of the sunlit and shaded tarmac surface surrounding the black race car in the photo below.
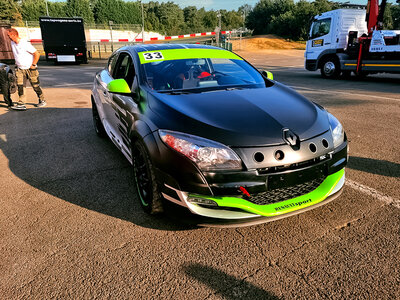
(71, 226)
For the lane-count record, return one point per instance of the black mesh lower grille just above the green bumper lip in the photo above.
(282, 194)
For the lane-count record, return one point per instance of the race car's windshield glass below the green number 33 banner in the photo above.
(201, 73)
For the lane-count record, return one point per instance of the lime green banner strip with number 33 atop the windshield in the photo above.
(174, 54)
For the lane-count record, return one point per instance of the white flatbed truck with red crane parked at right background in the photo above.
(340, 43)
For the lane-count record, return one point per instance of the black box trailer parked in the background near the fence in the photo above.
(64, 39)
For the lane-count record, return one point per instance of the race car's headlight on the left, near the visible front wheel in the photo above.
(207, 154)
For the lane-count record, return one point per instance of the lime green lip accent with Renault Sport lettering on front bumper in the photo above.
(283, 207)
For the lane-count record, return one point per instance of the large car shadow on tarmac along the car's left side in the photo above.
(57, 151)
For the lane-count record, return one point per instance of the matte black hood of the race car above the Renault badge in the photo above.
(247, 117)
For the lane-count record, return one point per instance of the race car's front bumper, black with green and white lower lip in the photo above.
(209, 199)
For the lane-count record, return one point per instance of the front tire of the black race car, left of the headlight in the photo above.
(146, 186)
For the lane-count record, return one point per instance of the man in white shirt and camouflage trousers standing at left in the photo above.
(26, 58)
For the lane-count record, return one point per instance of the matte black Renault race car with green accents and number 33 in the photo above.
(206, 130)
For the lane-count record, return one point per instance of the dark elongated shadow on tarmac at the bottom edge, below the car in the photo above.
(224, 285)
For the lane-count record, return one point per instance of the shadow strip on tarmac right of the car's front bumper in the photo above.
(374, 166)
